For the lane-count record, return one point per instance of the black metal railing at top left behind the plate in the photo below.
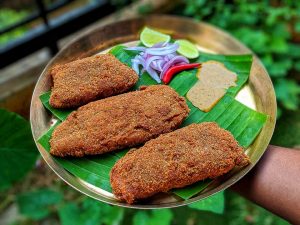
(48, 33)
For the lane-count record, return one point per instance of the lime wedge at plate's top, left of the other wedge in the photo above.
(150, 37)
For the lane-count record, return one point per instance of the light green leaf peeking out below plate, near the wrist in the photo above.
(214, 203)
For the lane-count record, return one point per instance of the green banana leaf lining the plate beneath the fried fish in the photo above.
(243, 122)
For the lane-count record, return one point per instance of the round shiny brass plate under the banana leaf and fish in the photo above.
(257, 94)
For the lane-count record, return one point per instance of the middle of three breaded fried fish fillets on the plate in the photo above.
(117, 122)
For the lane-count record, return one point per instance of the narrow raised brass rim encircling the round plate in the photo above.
(73, 181)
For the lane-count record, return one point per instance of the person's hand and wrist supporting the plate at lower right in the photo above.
(274, 183)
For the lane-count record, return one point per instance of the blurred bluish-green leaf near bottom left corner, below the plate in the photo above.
(37, 204)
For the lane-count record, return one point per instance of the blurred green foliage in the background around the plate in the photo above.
(37, 196)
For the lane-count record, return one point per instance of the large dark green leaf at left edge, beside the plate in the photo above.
(17, 149)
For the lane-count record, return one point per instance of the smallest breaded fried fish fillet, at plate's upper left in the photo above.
(84, 80)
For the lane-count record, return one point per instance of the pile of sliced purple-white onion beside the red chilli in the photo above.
(157, 59)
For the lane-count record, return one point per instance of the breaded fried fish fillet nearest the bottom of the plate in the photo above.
(175, 160)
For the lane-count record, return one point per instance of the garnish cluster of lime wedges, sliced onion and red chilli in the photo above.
(159, 56)
